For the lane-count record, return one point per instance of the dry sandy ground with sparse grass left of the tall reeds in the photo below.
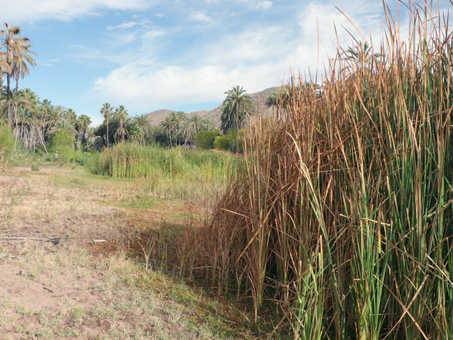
(67, 291)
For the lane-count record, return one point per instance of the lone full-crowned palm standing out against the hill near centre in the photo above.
(236, 107)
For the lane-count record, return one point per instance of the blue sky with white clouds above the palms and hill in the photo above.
(179, 55)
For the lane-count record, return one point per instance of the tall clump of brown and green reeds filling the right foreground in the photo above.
(341, 218)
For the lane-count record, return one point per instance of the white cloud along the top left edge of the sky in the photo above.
(31, 10)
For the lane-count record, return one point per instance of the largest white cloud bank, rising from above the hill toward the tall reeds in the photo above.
(257, 57)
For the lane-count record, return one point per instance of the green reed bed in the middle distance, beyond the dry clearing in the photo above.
(173, 171)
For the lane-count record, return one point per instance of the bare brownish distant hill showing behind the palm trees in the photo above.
(259, 98)
